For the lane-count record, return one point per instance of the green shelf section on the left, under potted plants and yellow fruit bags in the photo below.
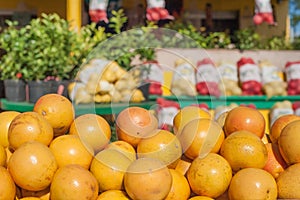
(102, 109)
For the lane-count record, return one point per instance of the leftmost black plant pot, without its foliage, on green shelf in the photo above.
(15, 90)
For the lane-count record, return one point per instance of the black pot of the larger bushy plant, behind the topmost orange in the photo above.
(37, 89)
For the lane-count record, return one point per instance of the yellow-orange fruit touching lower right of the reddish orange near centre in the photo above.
(162, 145)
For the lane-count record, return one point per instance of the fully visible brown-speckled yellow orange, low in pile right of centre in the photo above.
(209, 176)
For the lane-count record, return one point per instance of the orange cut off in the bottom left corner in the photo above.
(7, 185)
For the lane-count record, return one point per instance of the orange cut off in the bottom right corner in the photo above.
(288, 182)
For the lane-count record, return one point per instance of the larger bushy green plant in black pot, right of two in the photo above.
(50, 58)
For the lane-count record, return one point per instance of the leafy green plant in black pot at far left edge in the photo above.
(13, 42)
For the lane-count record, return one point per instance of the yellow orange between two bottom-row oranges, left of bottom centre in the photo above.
(109, 167)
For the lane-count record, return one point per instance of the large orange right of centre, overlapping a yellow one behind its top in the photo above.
(200, 137)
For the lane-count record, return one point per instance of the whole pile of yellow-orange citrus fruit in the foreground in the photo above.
(50, 153)
